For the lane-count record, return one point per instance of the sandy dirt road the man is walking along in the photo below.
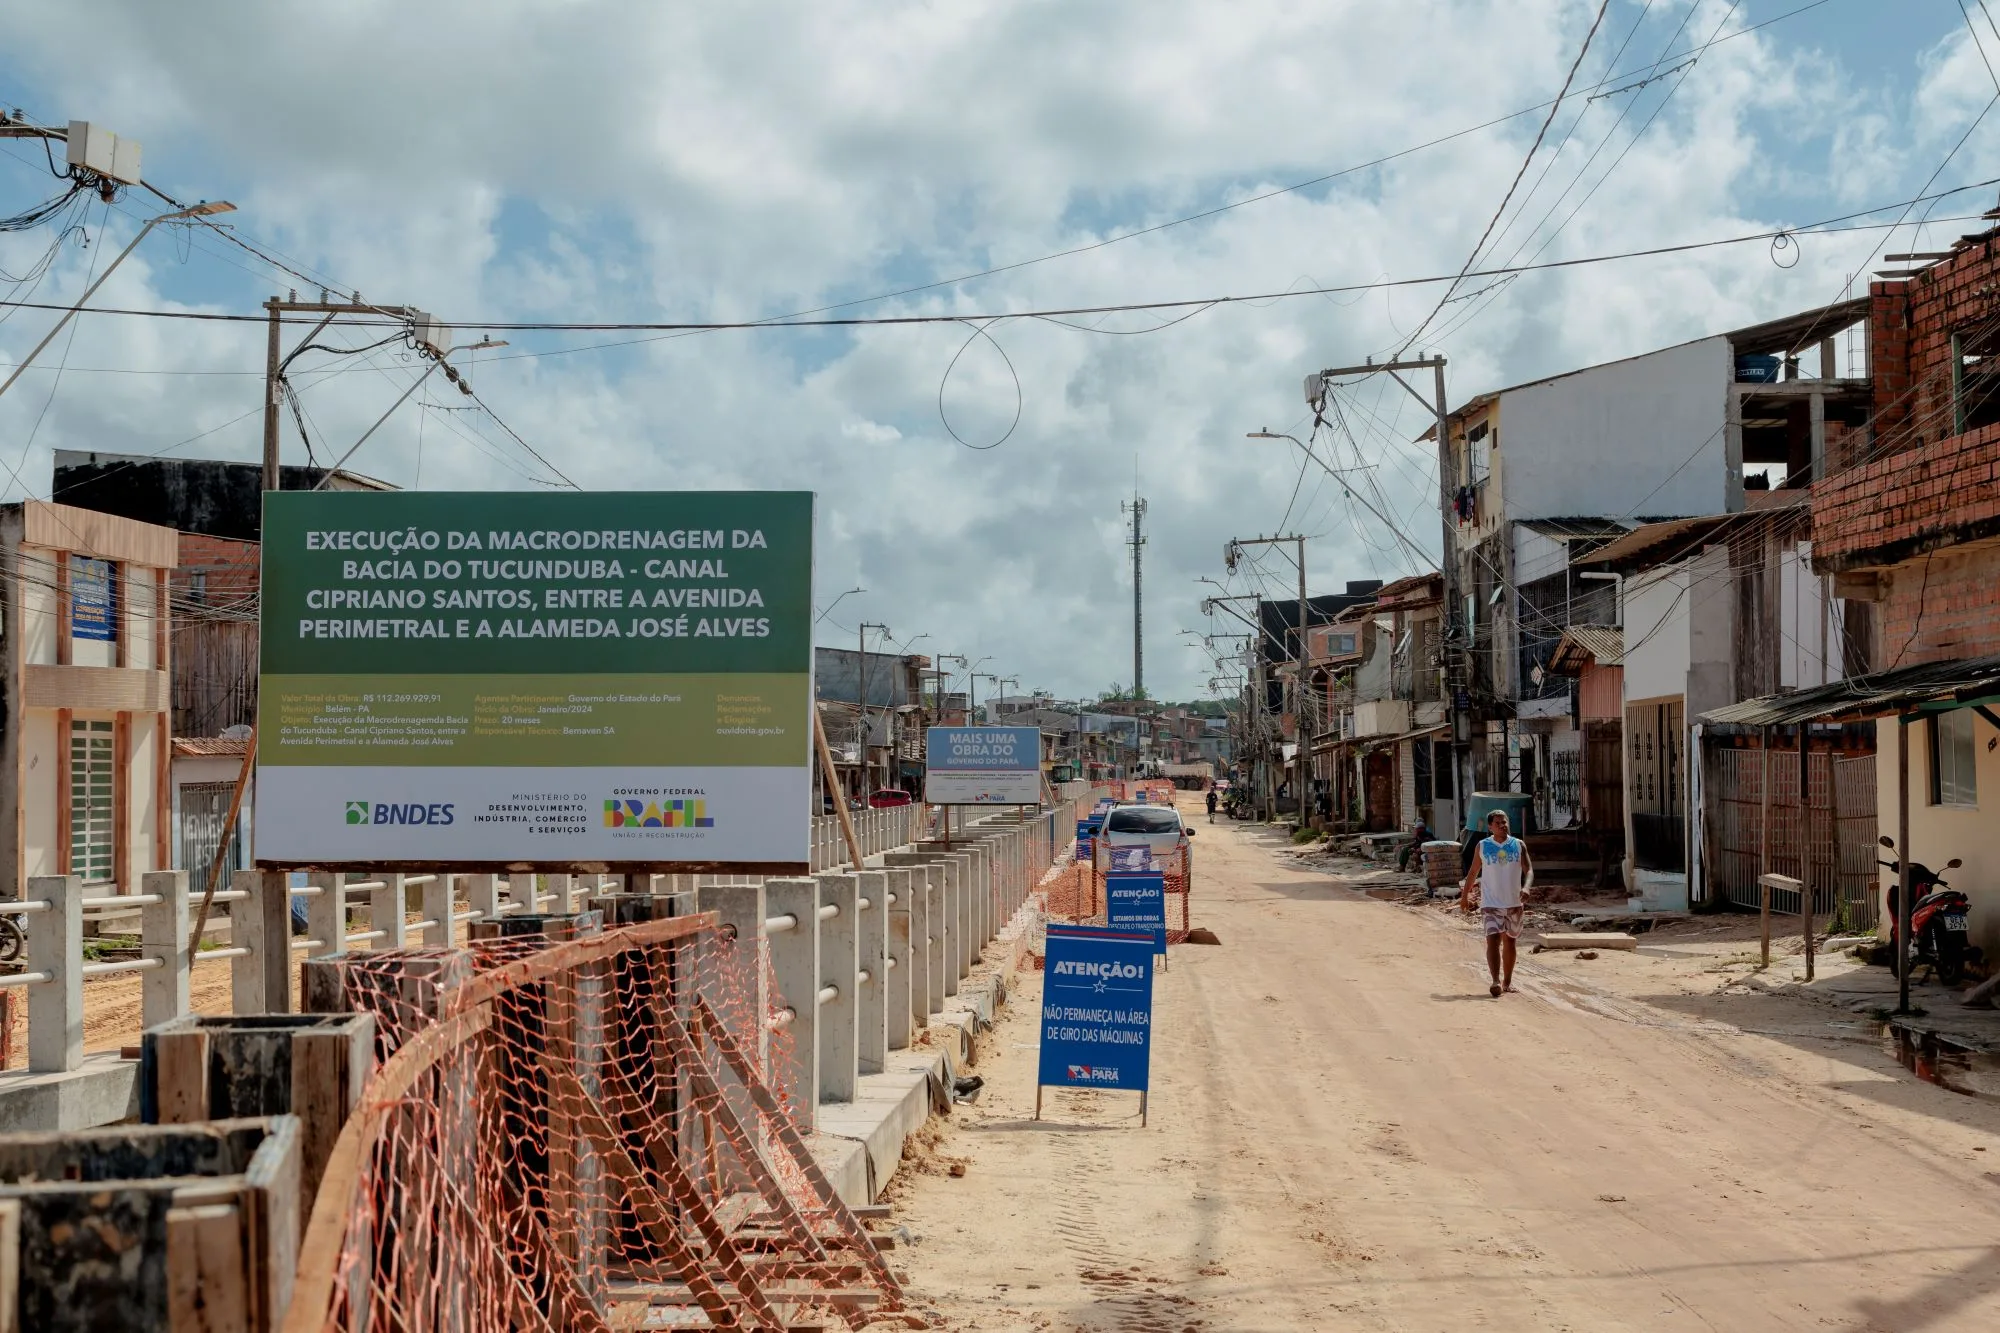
(1349, 1134)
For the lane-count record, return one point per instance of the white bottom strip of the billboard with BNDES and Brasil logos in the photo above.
(367, 816)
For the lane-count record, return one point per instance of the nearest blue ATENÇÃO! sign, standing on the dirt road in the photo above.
(1097, 1008)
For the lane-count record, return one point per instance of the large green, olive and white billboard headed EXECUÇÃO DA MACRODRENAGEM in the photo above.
(511, 682)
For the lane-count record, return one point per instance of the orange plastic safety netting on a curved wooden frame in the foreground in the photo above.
(575, 1130)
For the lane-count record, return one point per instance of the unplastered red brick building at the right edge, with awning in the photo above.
(1907, 525)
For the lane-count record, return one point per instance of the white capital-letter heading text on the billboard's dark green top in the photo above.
(511, 583)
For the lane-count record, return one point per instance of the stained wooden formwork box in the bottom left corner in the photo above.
(151, 1230)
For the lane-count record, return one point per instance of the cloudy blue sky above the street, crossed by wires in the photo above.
(607, 161)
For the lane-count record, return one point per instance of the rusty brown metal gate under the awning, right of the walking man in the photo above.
(1841, 832)
